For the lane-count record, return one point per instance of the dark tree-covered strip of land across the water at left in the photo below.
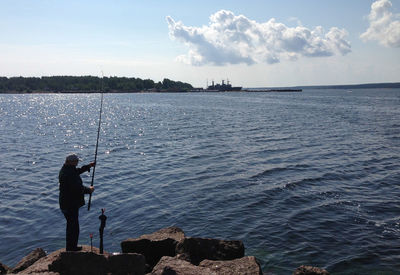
(87, 84)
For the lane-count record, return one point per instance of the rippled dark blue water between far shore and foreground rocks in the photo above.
(302, 178)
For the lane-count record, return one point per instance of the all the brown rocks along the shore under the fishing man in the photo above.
(165, 252)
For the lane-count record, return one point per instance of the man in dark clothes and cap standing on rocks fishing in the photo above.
(71, 197)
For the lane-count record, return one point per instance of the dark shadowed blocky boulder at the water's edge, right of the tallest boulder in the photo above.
(199, 249)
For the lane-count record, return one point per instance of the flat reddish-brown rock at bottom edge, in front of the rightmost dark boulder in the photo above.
(244, 266)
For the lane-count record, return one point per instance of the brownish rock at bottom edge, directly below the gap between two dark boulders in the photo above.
(174, 266)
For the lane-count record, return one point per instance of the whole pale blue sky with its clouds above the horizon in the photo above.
(253, 43)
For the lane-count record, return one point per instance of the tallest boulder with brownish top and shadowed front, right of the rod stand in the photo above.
(156, 245)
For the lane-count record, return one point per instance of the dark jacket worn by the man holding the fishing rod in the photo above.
(71, 187)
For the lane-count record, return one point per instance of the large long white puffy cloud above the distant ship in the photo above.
(231, 39)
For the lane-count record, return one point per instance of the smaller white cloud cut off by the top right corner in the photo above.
(382, 25)
